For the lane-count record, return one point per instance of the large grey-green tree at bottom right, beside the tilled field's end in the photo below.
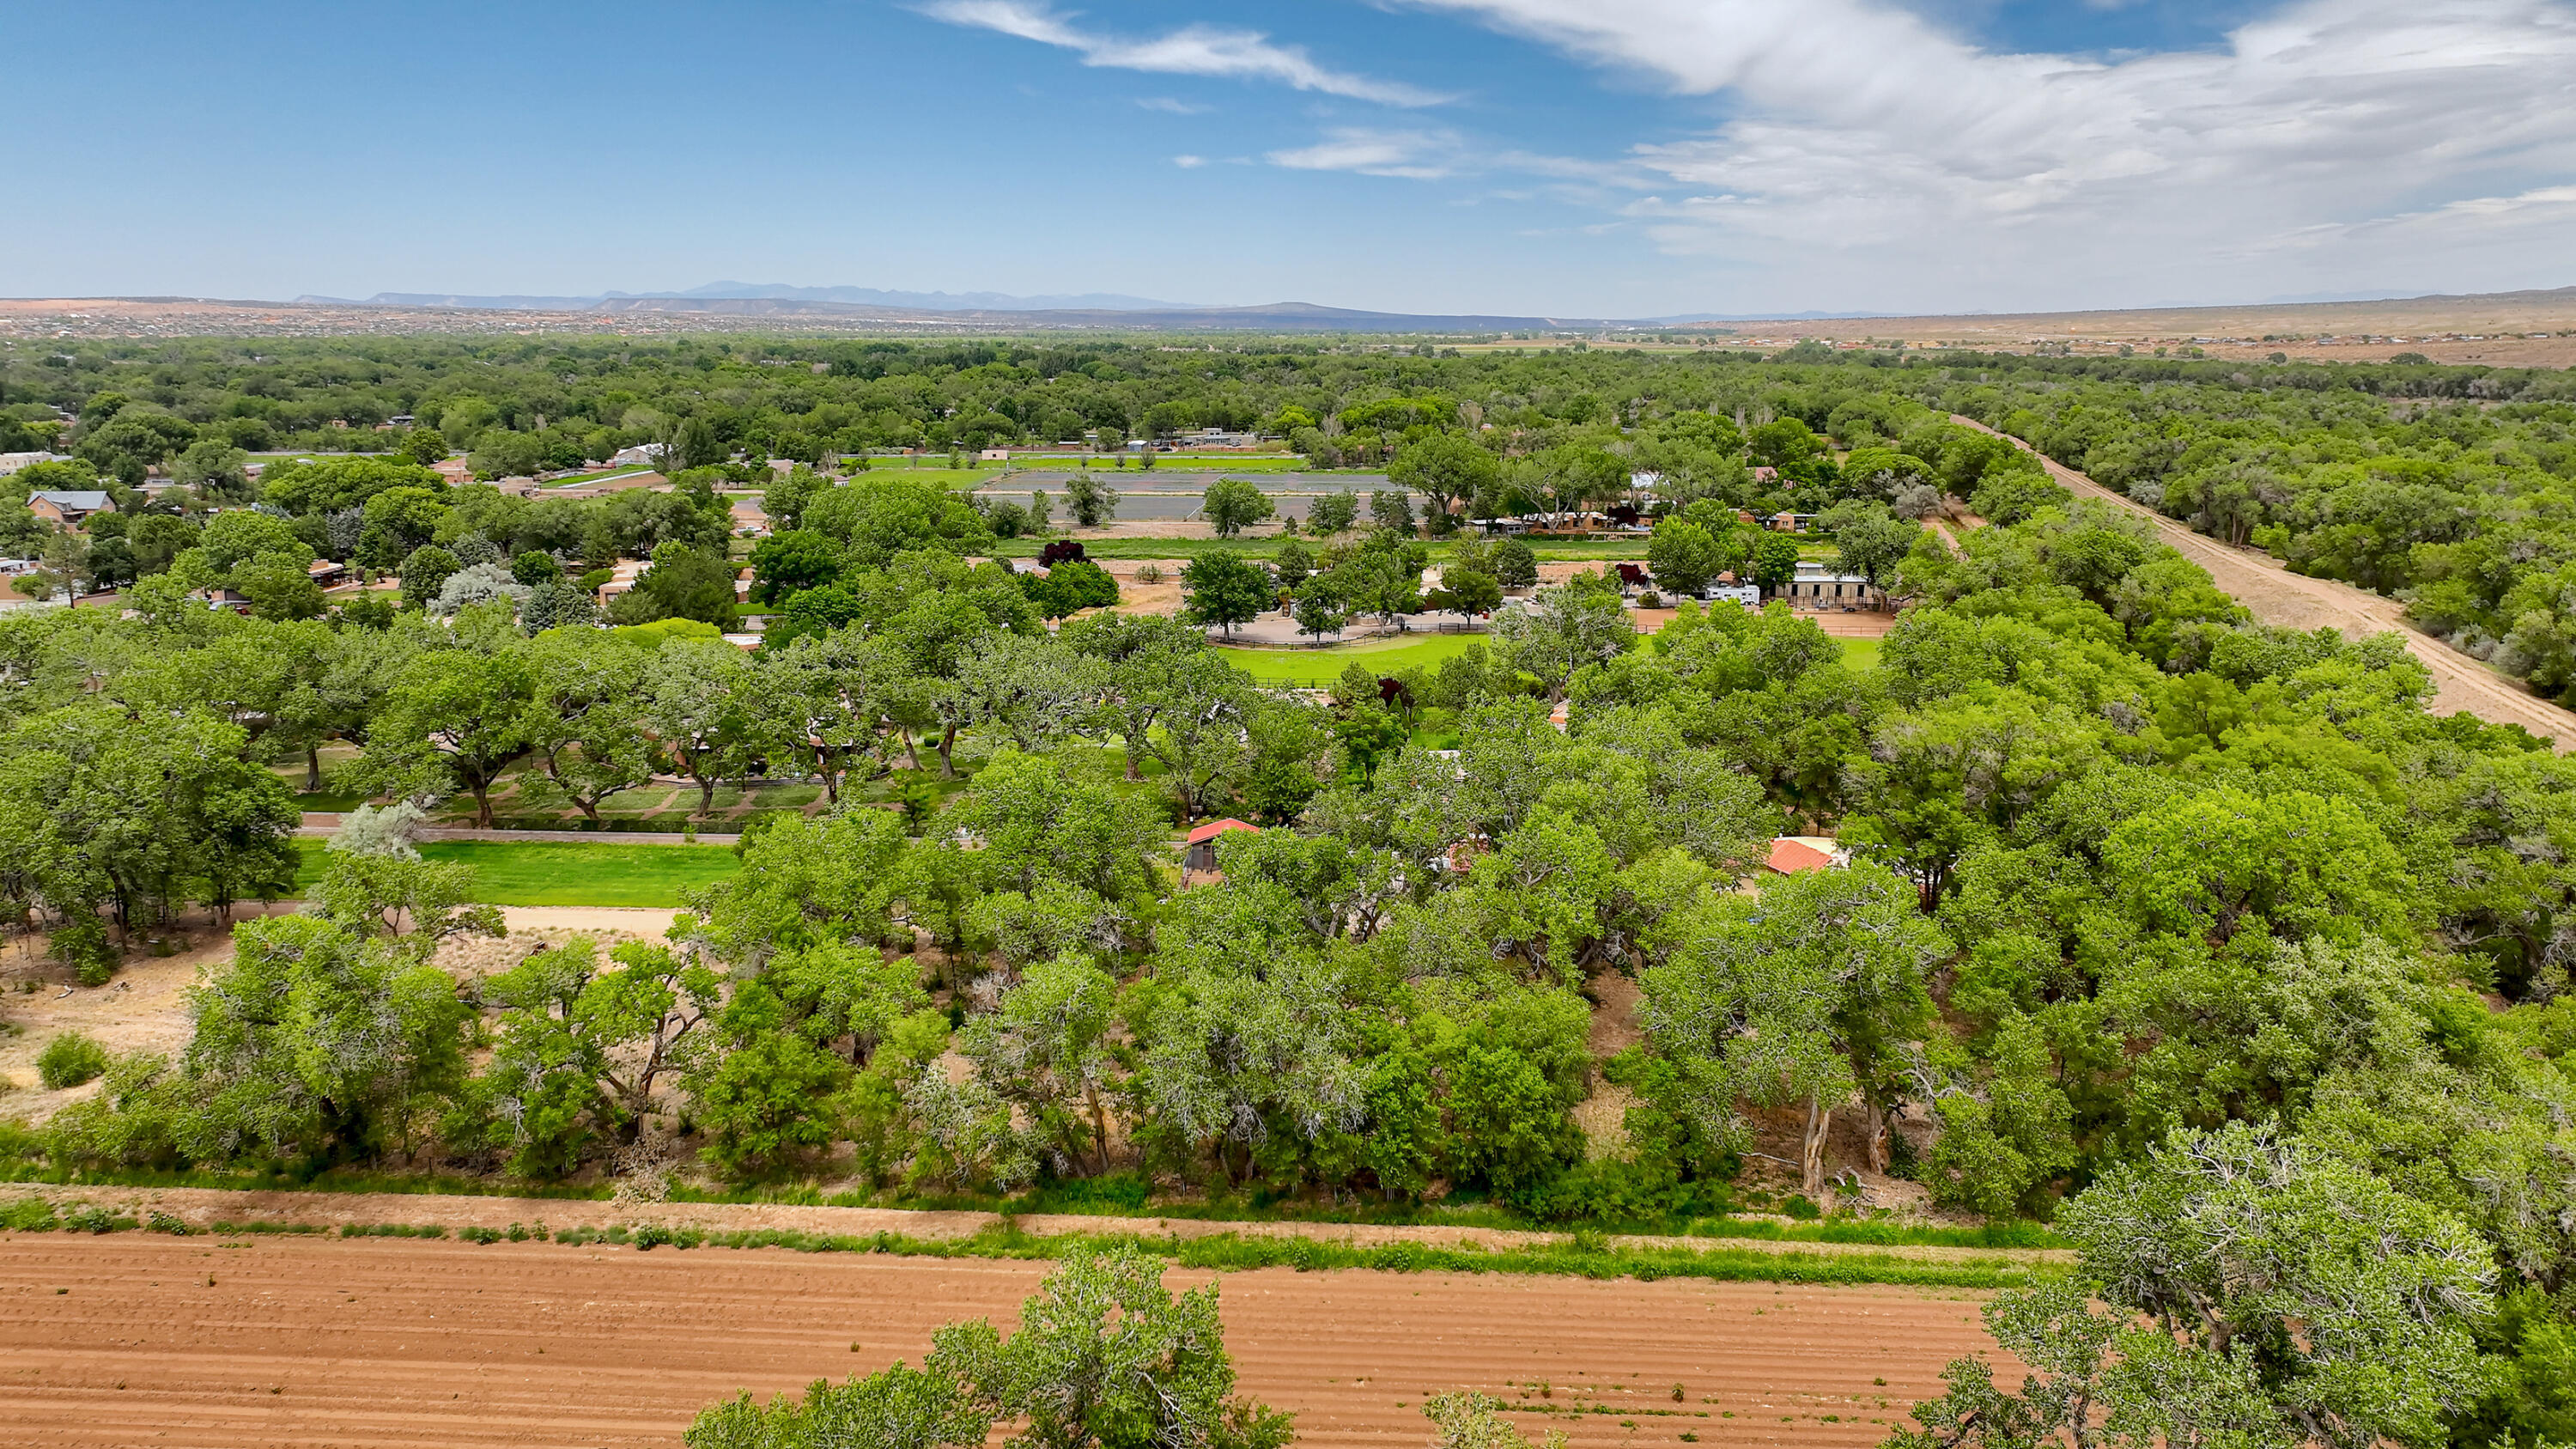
(2255, 1293)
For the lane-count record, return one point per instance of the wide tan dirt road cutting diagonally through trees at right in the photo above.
(2299, 602)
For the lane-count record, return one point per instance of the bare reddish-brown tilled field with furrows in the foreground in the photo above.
(447, 1345)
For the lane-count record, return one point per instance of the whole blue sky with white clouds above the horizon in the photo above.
(1501, 156)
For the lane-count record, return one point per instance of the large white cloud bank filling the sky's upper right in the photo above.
(1869, 151)
